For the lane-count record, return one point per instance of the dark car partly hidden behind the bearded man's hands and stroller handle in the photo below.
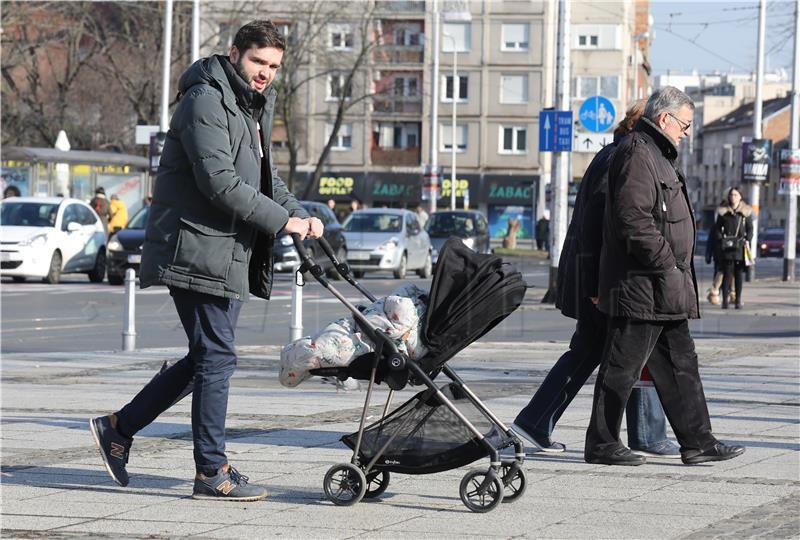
(286, 258)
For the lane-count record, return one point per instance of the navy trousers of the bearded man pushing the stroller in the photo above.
(209, 322)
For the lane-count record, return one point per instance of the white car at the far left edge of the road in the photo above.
(43, 237)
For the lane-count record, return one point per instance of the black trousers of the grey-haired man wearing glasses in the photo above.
(628, 347)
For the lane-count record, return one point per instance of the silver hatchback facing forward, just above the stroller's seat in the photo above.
(381, 239)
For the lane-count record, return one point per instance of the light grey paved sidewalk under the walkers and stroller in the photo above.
(54, 483)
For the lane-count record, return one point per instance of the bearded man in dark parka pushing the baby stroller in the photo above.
(217, 206)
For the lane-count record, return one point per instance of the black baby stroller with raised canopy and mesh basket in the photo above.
(440, 428)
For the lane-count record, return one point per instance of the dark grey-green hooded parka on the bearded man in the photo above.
(217, 204)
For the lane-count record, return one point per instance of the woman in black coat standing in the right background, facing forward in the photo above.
(734, 227)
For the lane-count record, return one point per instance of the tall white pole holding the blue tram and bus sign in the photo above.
(561, 160)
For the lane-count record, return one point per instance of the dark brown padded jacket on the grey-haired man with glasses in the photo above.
(646, 265)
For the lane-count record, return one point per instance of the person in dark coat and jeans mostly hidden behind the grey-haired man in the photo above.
(576, 298)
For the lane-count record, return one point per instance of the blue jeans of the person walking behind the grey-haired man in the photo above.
(569, 374)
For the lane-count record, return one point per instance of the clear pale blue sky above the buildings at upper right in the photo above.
(719, 35)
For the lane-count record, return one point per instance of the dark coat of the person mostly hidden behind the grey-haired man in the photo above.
(579, 265)
